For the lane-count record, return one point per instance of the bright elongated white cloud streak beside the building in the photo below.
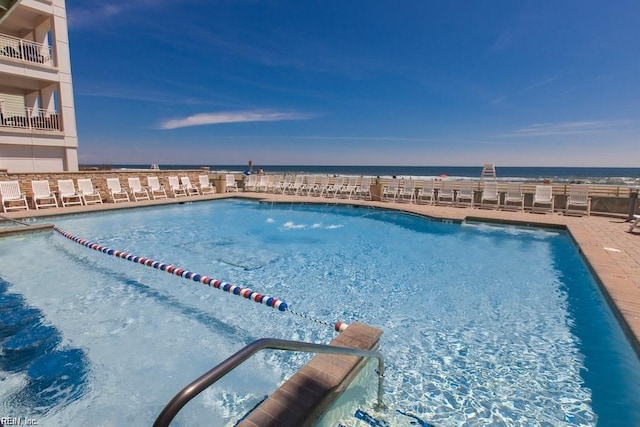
(233, 117)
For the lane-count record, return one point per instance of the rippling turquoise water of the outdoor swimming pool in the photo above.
(482, 324)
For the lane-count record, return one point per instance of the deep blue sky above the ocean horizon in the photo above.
(424, 83)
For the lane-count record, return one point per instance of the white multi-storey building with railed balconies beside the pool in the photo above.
(37, 116)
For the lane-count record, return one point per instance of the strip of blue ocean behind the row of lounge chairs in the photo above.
(603, 176)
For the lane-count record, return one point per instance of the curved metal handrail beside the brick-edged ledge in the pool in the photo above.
(196, 387)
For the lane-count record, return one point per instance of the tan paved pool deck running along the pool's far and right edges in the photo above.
(610, 250)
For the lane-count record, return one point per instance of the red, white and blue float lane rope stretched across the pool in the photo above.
(247, 293)
